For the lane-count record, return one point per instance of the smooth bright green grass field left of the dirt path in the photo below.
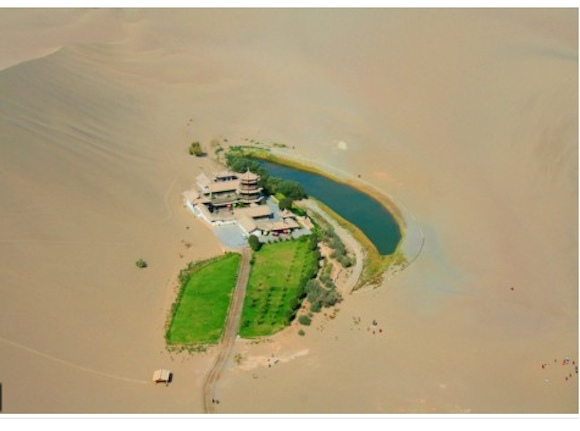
(201, 312)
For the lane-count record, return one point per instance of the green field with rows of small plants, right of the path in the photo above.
(278, 273)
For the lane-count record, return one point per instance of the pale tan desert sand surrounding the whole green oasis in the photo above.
(467, 118)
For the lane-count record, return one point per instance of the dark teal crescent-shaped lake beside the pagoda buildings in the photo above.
(358, 208)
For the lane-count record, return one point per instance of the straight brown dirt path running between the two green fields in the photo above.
(230, 333)
